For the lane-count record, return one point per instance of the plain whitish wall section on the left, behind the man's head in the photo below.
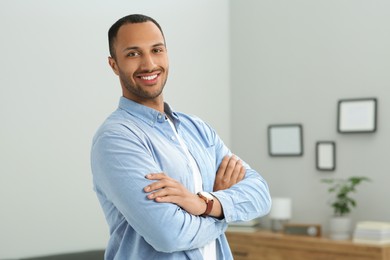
(56, 88)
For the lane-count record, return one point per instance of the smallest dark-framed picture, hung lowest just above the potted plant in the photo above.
(326, 156)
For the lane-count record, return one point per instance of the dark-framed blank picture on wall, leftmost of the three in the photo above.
(285, 140)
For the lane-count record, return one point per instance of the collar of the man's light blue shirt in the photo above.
(147, 114)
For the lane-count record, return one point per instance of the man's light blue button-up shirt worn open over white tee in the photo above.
(136, 140)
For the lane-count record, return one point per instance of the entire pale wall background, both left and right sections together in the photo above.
(291, 62)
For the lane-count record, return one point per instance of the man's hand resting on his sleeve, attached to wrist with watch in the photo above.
(168, 190)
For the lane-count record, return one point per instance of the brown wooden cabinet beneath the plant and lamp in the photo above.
(266, 245)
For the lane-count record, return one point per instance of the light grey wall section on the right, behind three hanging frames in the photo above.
(292, 62)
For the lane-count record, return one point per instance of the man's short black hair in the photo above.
(132, 18)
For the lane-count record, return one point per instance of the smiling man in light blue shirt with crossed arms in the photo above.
(167, 183)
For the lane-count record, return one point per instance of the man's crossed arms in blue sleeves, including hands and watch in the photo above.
(163, 210)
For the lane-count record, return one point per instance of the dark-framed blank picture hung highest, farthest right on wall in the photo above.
(357, 115)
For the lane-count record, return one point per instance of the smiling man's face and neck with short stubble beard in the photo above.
(141, 62)
